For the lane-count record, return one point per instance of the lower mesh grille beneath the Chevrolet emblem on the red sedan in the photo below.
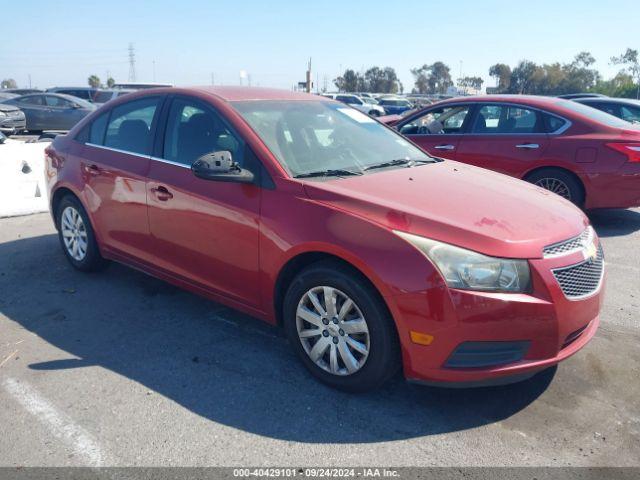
(582, 279)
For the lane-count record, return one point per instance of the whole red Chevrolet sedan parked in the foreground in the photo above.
(306, 213)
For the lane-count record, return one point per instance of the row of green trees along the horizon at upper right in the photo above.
(526, 77)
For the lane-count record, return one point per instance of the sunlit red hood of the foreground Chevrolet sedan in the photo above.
(458, 204)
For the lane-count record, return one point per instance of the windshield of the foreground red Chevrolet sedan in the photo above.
(309, 136)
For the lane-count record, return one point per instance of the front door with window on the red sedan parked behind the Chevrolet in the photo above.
(438, 131)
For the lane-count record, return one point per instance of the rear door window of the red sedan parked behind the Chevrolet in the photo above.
(506, 119)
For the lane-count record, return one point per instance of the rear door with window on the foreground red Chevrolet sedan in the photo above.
(115, 164)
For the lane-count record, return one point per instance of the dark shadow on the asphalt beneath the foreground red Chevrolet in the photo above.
(220, 364)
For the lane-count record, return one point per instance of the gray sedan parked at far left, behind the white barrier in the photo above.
(51, 111)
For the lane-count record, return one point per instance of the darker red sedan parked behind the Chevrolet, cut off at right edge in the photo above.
(582, 154)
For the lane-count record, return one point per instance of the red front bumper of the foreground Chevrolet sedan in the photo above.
(548, 326)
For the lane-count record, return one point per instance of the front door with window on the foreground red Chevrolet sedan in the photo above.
(203, 231)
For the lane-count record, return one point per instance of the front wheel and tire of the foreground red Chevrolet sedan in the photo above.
(340, 328)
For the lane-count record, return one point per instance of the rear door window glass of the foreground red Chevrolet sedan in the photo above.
(129, 127)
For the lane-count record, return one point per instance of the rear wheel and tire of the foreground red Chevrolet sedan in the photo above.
(76, 236)
